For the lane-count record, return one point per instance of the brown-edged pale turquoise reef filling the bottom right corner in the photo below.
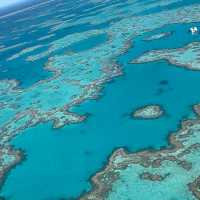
(169, 173)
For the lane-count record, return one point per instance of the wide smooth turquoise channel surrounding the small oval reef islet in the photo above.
(60, 162)
